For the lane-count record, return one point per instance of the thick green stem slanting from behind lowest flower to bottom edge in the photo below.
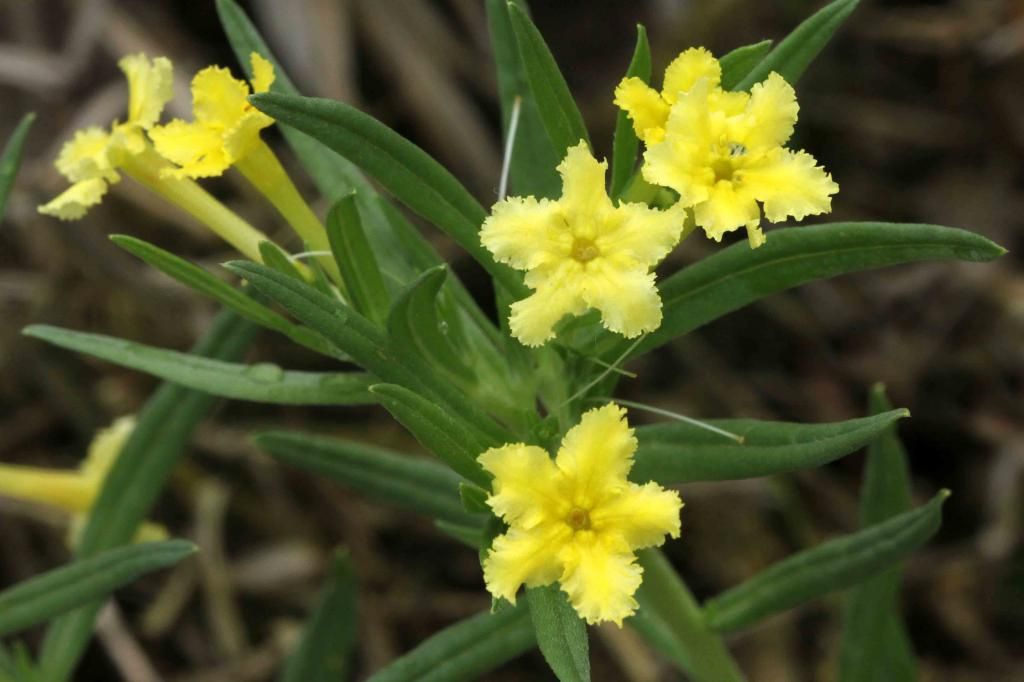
(664, 591)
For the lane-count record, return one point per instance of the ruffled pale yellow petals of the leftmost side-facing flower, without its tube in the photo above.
(92, 159)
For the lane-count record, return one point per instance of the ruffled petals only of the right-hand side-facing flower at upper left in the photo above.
(227, 126)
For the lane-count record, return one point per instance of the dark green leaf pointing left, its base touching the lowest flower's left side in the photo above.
(410, 483)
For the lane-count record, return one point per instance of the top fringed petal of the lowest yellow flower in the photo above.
(598, 454)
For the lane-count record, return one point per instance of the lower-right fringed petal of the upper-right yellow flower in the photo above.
(790, 184)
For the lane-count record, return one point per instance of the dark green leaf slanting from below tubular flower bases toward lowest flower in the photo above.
(368, 347)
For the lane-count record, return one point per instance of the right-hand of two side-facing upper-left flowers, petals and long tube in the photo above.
(226, 134)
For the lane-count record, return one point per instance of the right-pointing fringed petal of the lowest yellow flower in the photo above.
(642, 515)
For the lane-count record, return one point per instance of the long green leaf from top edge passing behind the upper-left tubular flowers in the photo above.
(334, 176)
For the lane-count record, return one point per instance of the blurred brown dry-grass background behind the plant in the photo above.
(917, 111)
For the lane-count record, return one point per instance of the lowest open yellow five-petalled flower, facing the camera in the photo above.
(577, 520)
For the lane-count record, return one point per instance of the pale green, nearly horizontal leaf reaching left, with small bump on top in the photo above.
(264, 382)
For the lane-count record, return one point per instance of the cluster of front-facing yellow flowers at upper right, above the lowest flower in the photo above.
(721, 153)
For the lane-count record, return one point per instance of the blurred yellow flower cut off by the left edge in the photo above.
(75, 492)
